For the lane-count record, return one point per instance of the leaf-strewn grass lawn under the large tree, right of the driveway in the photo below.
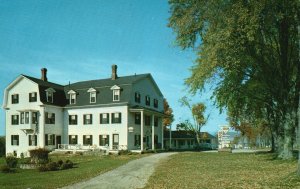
(224, 170)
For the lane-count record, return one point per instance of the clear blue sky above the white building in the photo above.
(79, 40)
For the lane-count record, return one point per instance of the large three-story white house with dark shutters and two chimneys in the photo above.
(118, 113)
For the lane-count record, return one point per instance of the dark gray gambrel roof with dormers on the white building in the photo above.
(102, 86)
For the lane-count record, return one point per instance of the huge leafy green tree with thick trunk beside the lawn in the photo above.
(248, 52)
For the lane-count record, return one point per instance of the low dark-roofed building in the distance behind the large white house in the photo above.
(187, 140)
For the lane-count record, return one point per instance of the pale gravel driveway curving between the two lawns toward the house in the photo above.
(134, 174)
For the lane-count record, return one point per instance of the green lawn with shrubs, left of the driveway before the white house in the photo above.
(86, 167)
